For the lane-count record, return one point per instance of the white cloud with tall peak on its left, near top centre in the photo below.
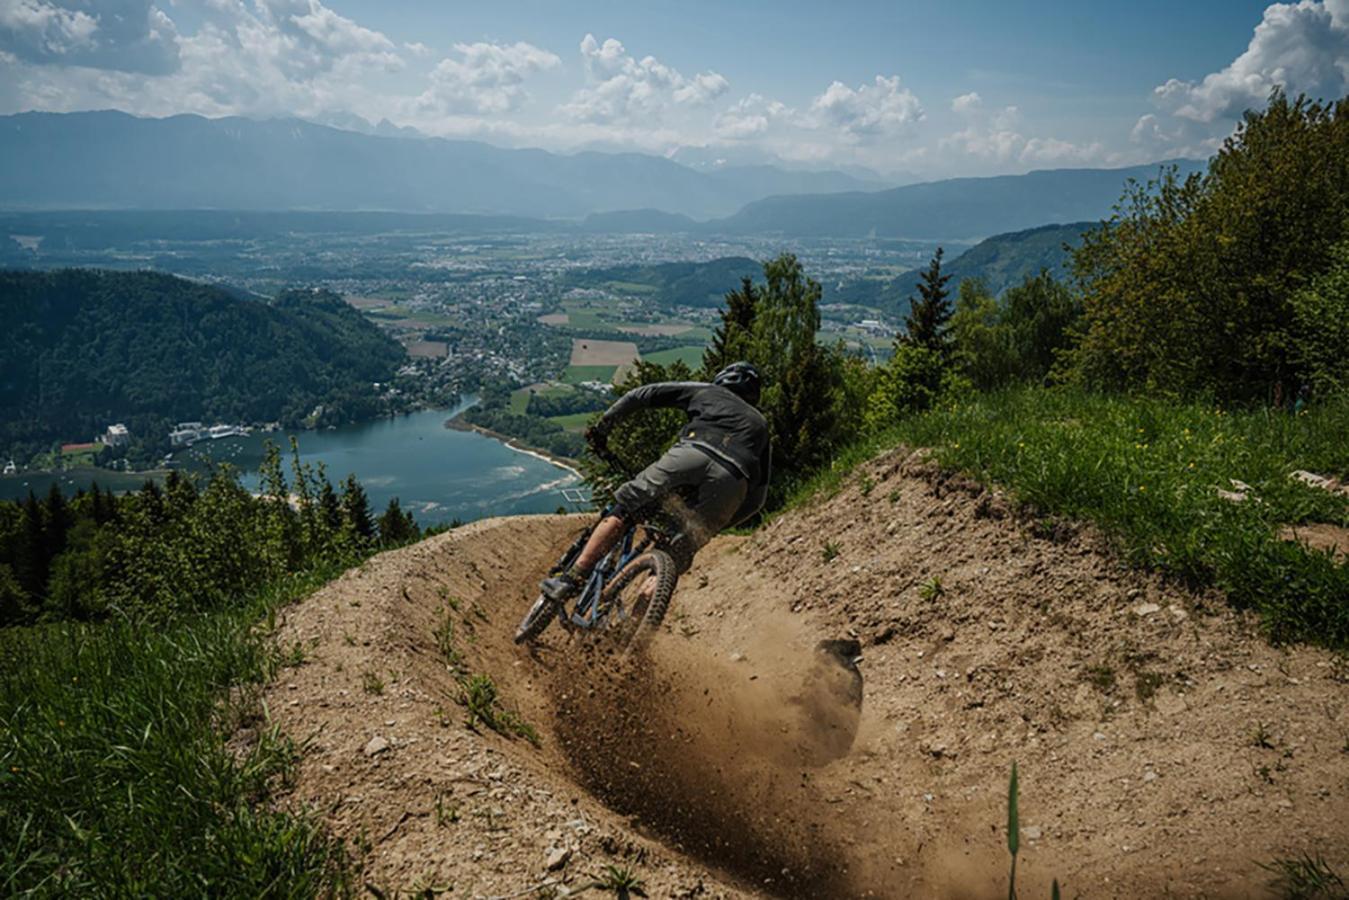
(625, 90)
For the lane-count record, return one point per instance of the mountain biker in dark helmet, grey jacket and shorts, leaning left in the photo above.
(724, 451)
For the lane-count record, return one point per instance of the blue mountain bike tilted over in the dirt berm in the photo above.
(631, 589)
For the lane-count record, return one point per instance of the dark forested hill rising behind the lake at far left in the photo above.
(87, 349)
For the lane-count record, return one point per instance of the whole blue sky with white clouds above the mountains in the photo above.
(917, 87)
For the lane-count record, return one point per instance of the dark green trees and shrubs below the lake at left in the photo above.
(184, 547)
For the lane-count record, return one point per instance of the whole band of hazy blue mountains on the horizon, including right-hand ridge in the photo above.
(115, 161)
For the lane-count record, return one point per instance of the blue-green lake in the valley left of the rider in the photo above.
(438, 473)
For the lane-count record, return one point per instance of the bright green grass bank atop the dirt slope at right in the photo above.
(1149, 472)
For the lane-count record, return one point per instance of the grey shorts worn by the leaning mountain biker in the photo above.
(721, 492)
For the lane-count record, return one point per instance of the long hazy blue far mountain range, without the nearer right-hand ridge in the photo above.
(111, 160)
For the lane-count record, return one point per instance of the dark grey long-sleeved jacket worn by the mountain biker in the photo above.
(720, 423)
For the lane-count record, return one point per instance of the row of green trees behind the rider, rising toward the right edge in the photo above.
(1232, 285)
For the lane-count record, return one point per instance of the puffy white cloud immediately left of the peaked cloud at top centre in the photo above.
(486, 78)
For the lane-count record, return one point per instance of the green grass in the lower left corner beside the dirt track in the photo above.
(115, 770)
